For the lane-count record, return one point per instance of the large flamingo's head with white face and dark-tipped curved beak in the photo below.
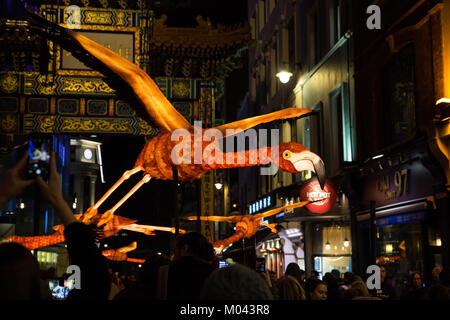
(295, 158)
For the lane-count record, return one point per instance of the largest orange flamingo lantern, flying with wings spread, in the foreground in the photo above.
(156, 158)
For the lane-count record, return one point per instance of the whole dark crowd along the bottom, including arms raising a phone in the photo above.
(192, 273)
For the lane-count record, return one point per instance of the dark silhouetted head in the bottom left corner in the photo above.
(19, 273)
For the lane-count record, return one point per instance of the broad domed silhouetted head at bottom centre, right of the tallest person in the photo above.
(235, 282)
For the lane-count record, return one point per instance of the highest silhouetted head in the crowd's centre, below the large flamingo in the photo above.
(194, 244)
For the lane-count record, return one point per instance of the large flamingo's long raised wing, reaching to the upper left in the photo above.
(119, 73)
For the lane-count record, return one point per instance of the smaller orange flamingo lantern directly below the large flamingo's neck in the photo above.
(246, 225)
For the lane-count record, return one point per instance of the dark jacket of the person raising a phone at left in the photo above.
(83, 252)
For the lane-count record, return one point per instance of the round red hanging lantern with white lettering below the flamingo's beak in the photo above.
(324, 199)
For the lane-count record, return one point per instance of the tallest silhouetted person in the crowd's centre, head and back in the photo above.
(191, 265)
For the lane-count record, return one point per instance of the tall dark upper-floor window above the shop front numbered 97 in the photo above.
(399, 97)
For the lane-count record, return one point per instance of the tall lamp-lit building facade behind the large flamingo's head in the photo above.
(313, 41)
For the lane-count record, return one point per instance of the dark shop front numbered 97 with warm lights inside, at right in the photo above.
(399, 223)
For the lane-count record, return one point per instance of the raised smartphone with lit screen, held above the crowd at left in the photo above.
(39, 152)
